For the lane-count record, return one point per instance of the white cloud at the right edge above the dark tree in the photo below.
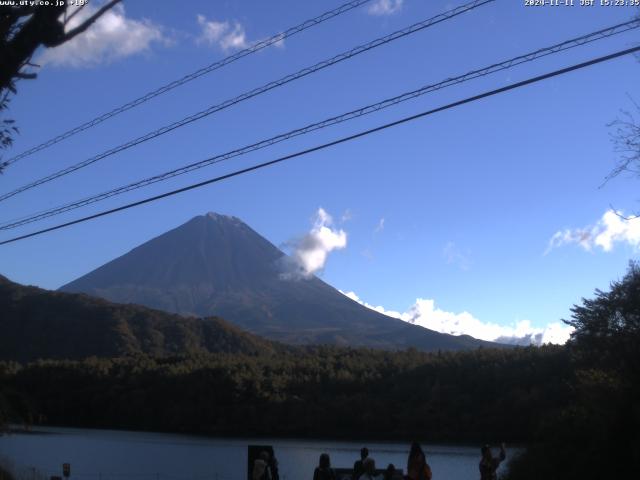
(611, 229)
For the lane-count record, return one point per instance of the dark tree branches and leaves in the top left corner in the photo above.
(23, 30)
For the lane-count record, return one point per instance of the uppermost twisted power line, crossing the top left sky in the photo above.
(192, 76)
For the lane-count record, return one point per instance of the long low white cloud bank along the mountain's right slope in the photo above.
(424, 313)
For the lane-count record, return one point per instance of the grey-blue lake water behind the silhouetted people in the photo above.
(122, 455)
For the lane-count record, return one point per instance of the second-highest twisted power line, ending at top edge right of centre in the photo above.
(416, 27)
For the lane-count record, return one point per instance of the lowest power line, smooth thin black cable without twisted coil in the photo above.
(334, 142)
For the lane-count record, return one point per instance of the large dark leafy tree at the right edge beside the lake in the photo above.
(597, 435)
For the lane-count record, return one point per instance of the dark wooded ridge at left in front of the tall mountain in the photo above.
(36, 323)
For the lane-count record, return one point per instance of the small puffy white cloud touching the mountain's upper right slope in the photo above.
(310, 252)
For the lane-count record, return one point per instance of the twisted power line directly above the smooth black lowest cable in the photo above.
(566, 45)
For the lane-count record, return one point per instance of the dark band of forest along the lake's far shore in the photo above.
(322, 391)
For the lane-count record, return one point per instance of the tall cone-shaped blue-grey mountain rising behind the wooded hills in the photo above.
(217, 265)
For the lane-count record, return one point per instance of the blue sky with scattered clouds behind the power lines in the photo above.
(486, 219)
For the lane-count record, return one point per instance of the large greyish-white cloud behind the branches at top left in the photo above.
(113, 36)
